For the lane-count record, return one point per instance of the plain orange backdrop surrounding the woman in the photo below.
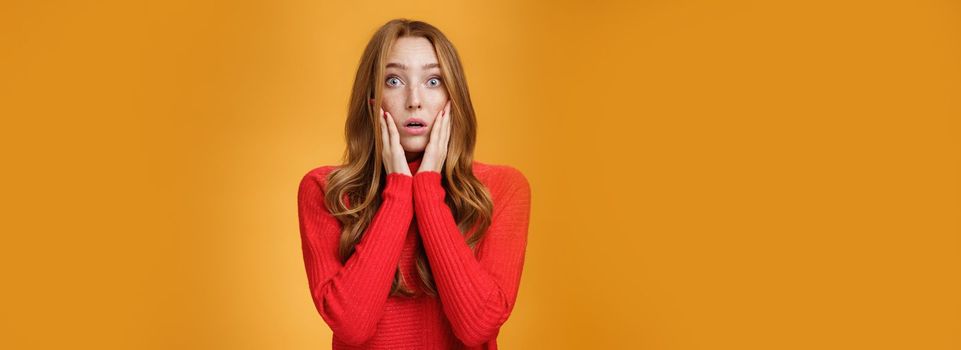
(705, 174)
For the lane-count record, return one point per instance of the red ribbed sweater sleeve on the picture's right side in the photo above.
(477, 294)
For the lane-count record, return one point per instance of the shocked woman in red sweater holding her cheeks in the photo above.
(410, 243)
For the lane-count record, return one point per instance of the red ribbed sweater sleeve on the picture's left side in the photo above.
(351, 297)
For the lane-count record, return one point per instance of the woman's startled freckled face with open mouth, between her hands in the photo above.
(413, 88)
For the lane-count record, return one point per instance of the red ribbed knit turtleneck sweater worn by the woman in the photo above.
(475, 293)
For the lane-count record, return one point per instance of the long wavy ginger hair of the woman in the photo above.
(362, 176)
